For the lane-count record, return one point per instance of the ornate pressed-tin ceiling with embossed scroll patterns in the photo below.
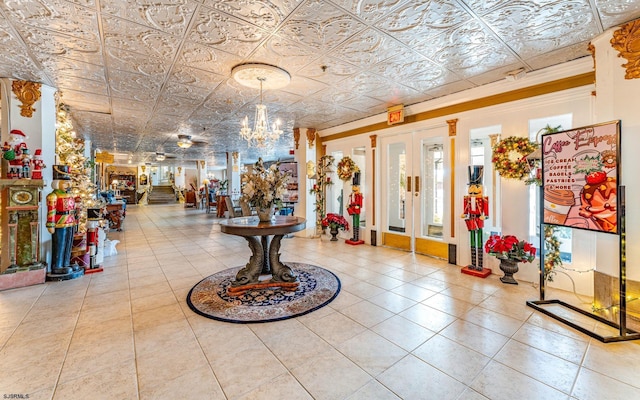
(137, 73)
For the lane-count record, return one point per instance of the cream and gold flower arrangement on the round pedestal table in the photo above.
(264, 187)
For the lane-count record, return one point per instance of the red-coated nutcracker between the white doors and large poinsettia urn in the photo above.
(476, 210)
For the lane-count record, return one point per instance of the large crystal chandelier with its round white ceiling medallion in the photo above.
(251, 75)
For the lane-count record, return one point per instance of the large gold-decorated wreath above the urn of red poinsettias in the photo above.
(509, 157)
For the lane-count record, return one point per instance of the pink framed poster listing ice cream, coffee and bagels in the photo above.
(580, 175)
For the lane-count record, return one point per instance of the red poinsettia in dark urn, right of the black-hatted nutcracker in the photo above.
(510, 251)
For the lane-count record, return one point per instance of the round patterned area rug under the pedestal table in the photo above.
(318, 287)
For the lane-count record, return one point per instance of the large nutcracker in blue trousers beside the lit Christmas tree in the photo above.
(61, 223)
